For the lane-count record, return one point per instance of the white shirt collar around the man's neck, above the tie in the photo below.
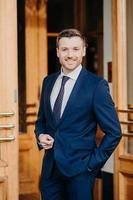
(74, 74)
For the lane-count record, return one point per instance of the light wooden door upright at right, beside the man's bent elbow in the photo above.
(119, 72)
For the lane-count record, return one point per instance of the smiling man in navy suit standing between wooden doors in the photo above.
(73, 102)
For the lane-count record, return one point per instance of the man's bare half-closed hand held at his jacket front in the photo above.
(46, 141)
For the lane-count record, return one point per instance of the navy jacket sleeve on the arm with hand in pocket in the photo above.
(106, 117)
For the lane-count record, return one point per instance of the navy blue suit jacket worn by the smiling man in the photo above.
(75, 147)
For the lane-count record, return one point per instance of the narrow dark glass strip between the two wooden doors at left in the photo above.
(21, 67)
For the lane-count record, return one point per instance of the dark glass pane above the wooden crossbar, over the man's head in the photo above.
(60, 15)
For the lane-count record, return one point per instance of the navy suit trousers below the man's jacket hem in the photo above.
(59, 187)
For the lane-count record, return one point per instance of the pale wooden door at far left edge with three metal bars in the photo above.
(8, 101)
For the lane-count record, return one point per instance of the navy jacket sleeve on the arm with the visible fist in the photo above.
(40, 122)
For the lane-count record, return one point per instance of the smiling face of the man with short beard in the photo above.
(70, 52)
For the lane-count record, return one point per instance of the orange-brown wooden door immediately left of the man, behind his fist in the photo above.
(36, 69)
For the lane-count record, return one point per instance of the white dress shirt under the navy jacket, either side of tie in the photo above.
(68, 87)
